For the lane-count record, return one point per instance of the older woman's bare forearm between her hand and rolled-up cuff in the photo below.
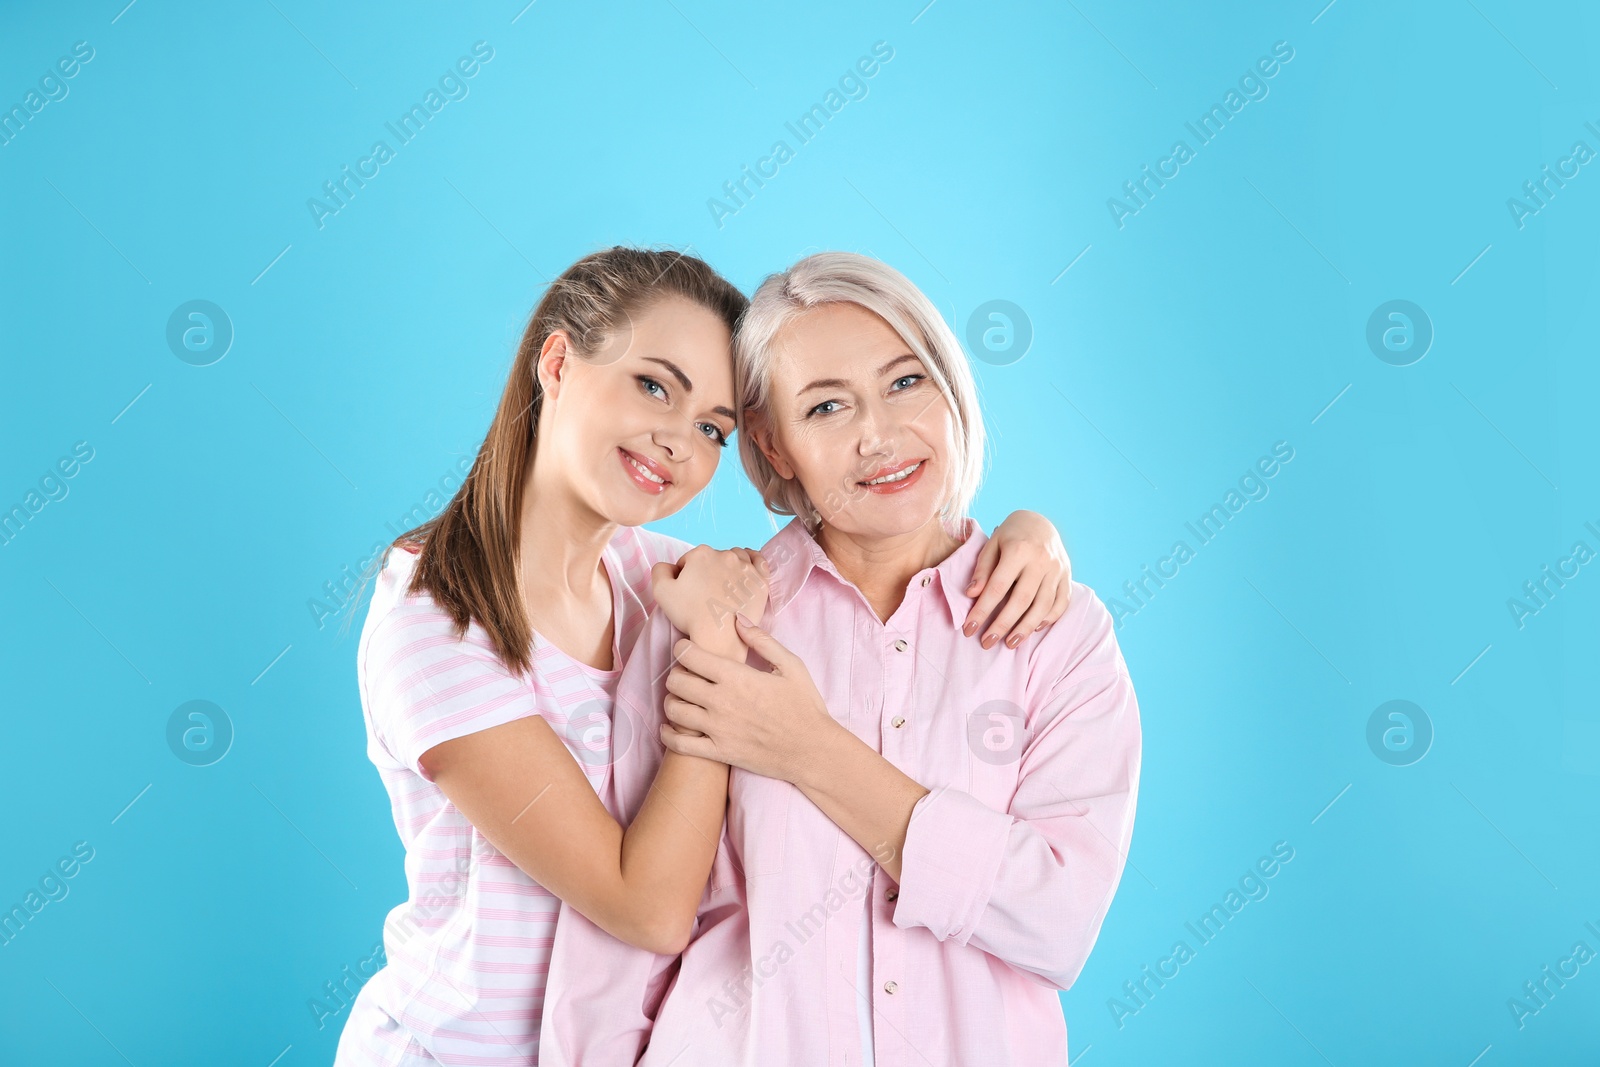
(865, 796)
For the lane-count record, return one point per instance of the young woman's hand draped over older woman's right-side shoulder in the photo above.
(1025, 565)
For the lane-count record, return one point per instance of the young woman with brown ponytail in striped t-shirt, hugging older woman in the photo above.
(497, 634)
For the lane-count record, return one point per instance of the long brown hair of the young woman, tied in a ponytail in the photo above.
(470, 551)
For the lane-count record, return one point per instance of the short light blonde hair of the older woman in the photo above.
(836, 278)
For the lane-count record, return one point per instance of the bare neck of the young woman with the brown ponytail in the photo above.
(561, 538)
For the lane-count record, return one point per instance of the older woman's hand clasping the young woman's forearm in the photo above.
(767, 722)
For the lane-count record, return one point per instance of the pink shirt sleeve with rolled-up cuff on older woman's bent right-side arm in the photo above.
(1031, 885)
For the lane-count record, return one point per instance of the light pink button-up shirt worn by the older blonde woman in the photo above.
(1010, 865)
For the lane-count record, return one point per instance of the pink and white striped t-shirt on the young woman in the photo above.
(470, 949)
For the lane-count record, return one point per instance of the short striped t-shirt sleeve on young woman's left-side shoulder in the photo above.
(426, 685)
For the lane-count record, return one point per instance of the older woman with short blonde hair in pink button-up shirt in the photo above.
(922, 839)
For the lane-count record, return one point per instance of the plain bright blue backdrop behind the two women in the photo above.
(1228, 314)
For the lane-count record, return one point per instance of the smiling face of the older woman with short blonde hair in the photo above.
(860, 423)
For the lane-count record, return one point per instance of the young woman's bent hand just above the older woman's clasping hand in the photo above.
(705, 589)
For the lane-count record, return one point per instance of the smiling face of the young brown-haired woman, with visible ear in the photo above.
(641, 423)
